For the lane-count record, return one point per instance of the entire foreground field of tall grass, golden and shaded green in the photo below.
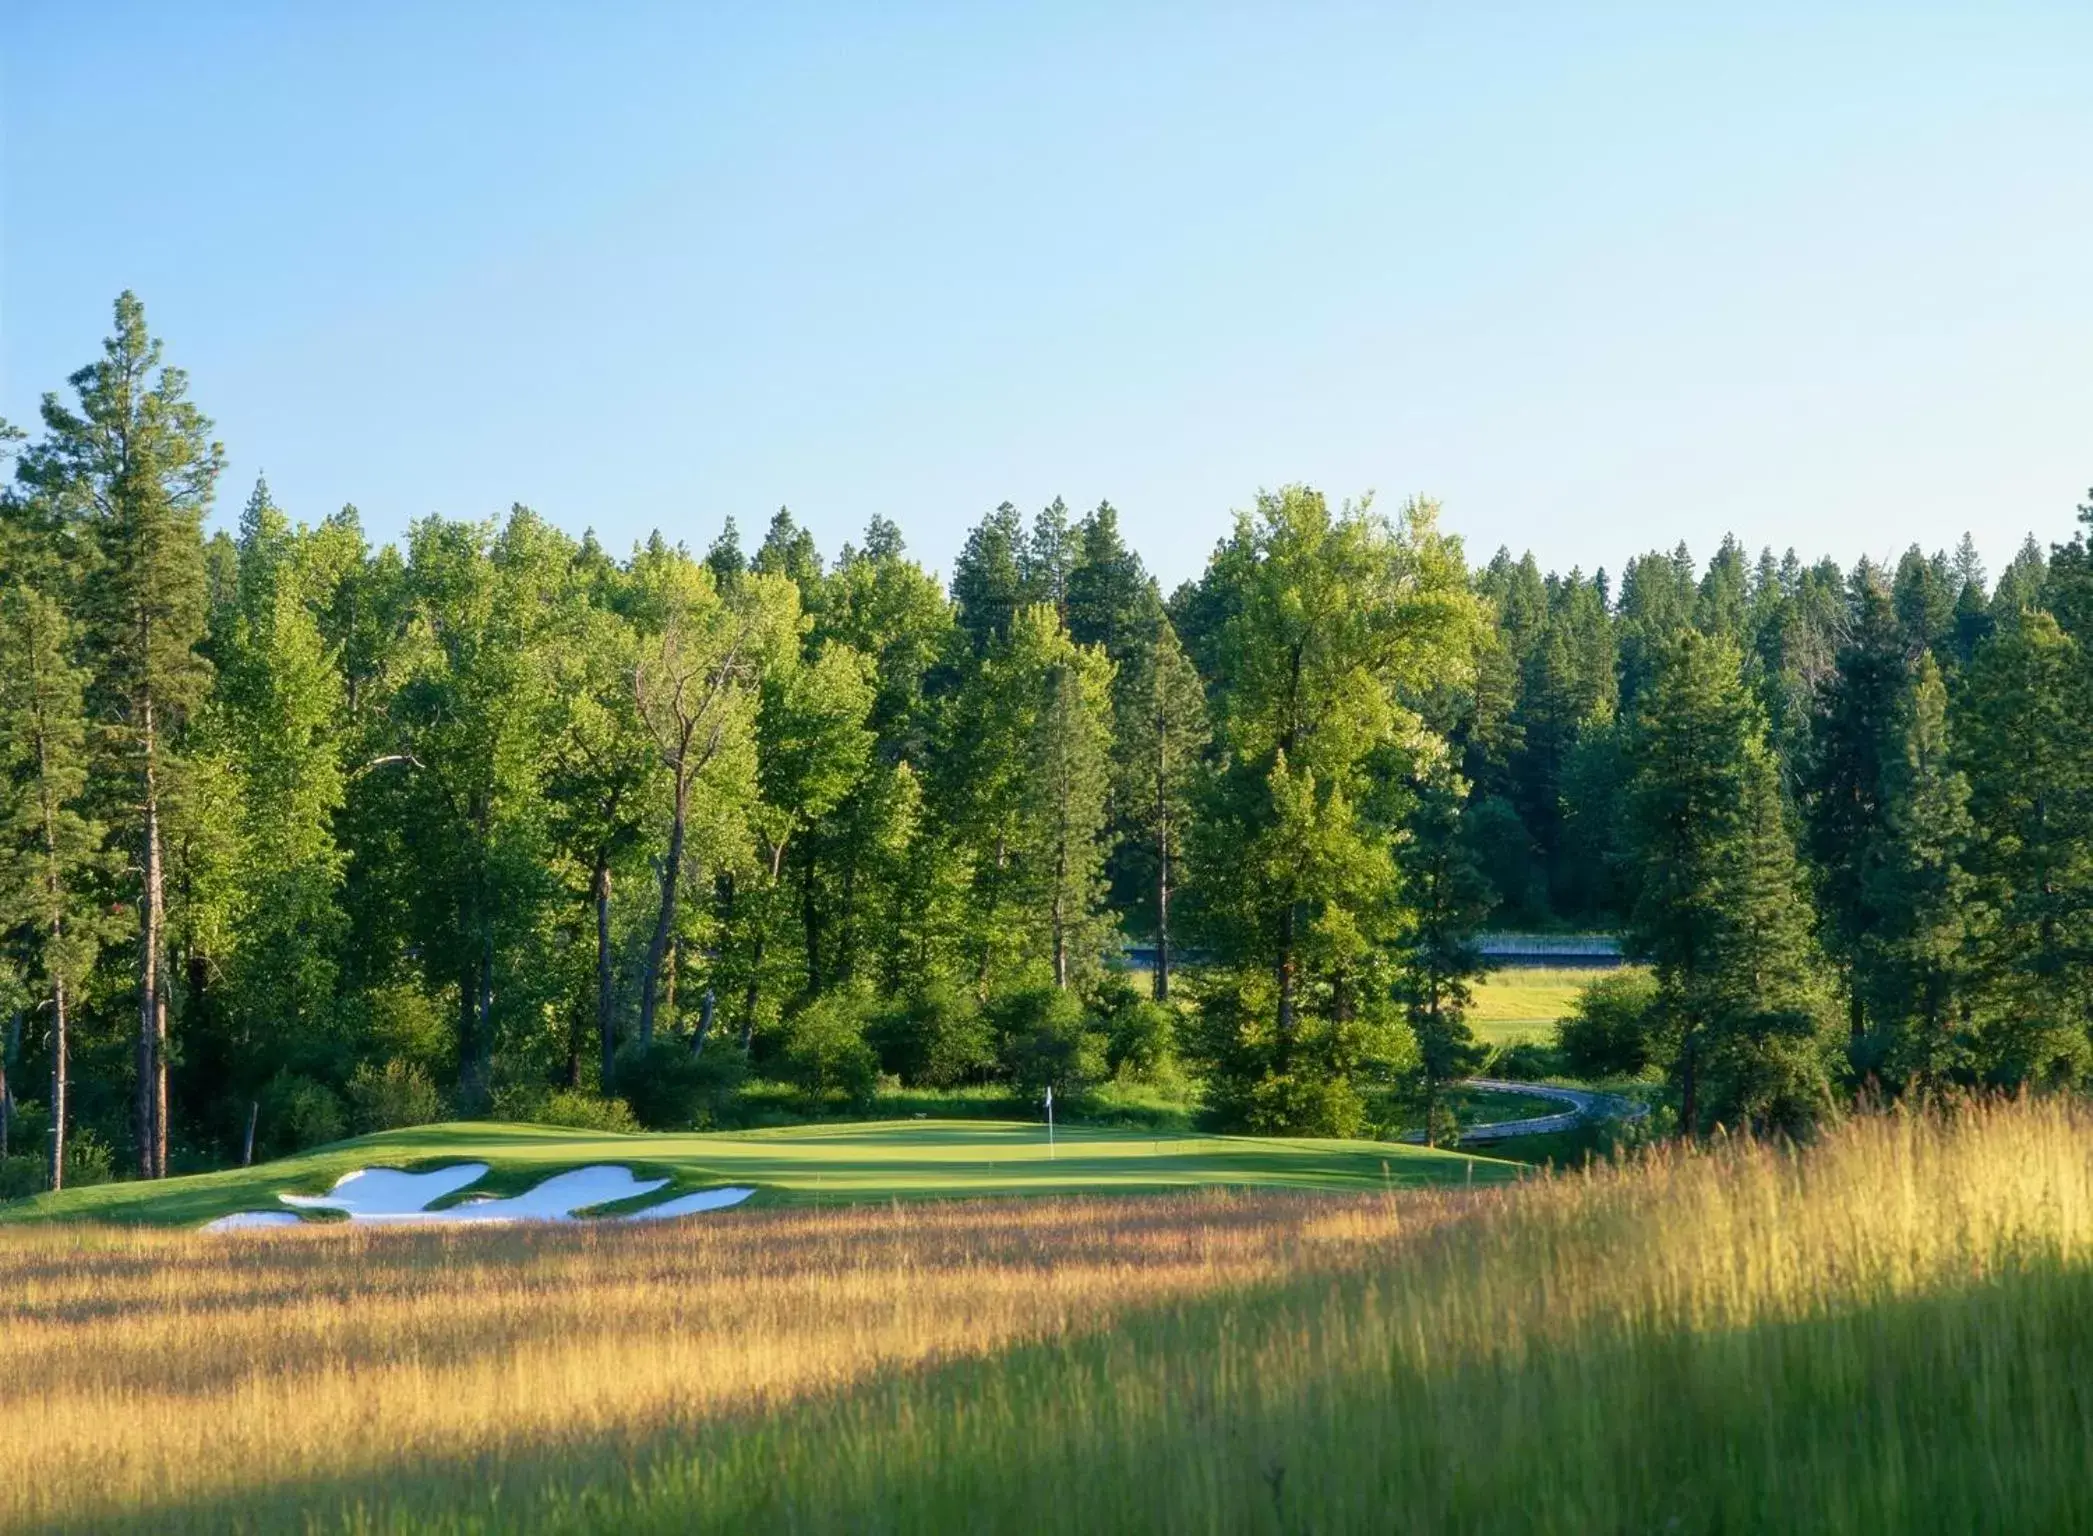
(1889, 1332)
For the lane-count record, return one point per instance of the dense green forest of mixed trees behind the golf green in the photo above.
(305, 836)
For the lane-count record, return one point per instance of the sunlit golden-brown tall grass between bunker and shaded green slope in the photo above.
(160, 1370)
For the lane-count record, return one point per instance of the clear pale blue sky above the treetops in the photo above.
(1598, 279)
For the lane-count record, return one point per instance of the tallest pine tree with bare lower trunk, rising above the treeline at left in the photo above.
(135, 468)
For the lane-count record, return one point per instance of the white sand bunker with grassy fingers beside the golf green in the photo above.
(395, 1198)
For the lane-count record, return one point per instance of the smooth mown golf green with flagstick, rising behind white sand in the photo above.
(798, 1167)
